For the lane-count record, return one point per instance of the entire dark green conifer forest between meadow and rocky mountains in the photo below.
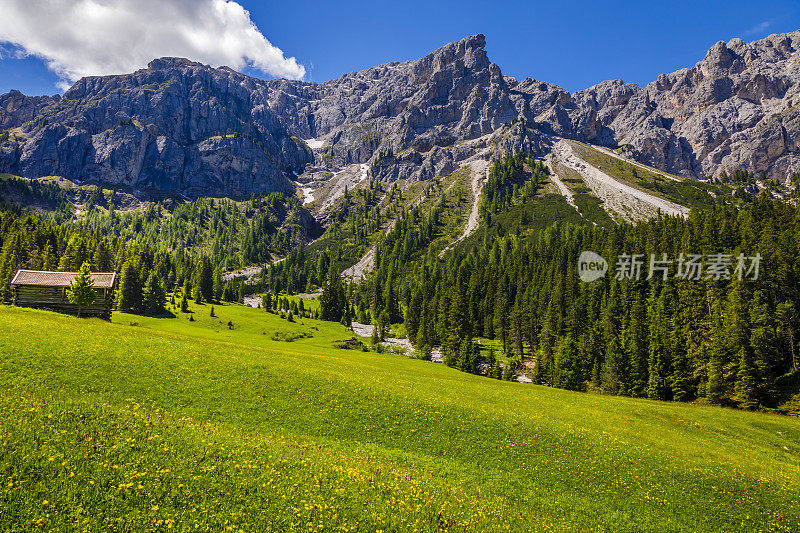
(722, 335)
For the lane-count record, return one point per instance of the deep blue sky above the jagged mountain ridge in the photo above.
(573, 44)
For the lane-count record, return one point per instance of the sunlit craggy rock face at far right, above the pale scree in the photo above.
(737, 108)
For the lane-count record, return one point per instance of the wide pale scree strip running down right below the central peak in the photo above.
(630, 203)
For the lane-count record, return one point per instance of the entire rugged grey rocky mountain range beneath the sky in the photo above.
(180, 126)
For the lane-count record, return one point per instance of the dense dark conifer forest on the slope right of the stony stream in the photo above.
(709, 335)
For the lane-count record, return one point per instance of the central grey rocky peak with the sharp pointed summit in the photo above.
(418, 110)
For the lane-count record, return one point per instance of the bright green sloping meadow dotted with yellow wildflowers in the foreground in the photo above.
(168, 423)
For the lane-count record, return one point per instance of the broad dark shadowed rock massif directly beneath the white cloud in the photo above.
(176, 125)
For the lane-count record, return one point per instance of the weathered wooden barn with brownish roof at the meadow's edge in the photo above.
(48, 290)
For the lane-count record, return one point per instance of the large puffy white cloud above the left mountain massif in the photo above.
(97, 37)
